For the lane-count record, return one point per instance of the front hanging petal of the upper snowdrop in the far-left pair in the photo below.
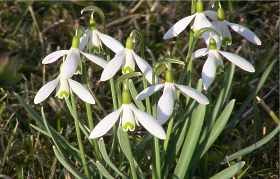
(71, 63)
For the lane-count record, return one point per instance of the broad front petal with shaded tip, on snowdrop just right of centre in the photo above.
(166, 103)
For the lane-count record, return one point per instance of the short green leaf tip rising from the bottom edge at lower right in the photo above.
(229, 172)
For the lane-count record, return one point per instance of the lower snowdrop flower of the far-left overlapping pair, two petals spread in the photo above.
(63, 87)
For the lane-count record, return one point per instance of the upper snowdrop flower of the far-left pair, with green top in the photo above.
(72, 58)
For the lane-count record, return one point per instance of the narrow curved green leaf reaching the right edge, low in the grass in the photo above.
(254, 146)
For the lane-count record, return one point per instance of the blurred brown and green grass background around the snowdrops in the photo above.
(31, 30)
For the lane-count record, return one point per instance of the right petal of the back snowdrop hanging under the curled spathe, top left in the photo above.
(111, 43)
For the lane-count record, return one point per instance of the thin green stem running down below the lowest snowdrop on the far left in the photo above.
(73, 110)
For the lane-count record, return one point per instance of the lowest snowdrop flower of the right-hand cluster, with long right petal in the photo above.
(214, 59)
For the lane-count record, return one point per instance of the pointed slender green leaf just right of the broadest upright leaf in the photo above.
(218, 126)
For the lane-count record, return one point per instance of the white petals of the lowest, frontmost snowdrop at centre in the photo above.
(129, 116)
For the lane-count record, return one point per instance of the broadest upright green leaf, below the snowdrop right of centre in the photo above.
(191, 141)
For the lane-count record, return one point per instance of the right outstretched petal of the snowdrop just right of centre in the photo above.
(187, 91)
